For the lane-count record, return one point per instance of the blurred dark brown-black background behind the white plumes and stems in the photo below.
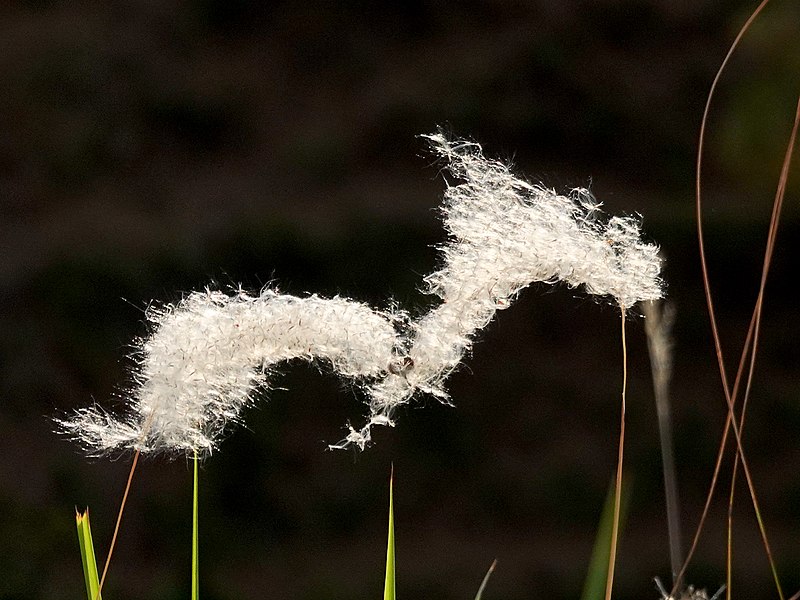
(151, 148)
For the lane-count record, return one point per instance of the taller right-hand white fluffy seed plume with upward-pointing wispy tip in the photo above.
(505, 234)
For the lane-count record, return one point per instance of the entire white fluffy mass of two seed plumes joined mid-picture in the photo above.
(209, 352)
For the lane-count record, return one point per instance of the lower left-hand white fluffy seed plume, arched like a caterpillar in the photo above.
(208, 353)
